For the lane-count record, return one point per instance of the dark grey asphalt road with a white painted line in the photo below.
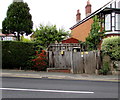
(57, 88)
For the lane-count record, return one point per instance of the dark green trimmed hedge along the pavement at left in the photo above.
(16, 54)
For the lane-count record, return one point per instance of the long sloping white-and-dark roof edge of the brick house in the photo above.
(94, 13)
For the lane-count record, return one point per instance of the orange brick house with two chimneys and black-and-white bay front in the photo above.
(109, 12)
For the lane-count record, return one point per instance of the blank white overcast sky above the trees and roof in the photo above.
(61, 13)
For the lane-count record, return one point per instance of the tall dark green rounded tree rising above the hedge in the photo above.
(18, 20)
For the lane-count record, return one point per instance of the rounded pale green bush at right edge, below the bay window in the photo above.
(111, 47)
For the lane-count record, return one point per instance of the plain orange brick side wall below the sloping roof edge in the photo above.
(82, 31)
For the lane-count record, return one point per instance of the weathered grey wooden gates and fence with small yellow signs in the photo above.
(70, 56)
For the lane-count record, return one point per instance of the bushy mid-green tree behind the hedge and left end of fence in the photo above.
(45, 35)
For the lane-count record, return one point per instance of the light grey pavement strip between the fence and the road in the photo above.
(58, 75)
